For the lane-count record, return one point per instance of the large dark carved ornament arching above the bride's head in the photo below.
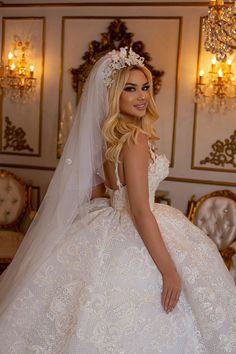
(115, 38)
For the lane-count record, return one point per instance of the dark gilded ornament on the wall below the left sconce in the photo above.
(15, 137)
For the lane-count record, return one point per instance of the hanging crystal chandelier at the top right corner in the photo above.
(220, 29)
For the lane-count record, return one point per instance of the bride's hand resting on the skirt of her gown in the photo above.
(171, 290)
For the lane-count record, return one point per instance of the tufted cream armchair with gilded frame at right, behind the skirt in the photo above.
(215, 214)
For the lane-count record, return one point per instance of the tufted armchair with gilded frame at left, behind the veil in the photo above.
(16, 213)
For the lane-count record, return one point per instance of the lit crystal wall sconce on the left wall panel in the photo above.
(17, 79)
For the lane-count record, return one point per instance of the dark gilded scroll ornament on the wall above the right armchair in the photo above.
(224, 152)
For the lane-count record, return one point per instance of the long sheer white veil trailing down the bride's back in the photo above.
(79, 170)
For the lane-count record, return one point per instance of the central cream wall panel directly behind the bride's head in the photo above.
(164, 51)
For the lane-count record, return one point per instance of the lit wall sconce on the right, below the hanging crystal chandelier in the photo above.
(217, 89)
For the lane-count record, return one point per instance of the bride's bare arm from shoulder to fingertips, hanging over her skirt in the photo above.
(136, 160)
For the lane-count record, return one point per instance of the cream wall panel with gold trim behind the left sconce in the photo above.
(27, 116)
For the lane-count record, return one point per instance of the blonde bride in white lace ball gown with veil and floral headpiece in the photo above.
(118, 275)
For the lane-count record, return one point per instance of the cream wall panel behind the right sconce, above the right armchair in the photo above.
(212, 127)
